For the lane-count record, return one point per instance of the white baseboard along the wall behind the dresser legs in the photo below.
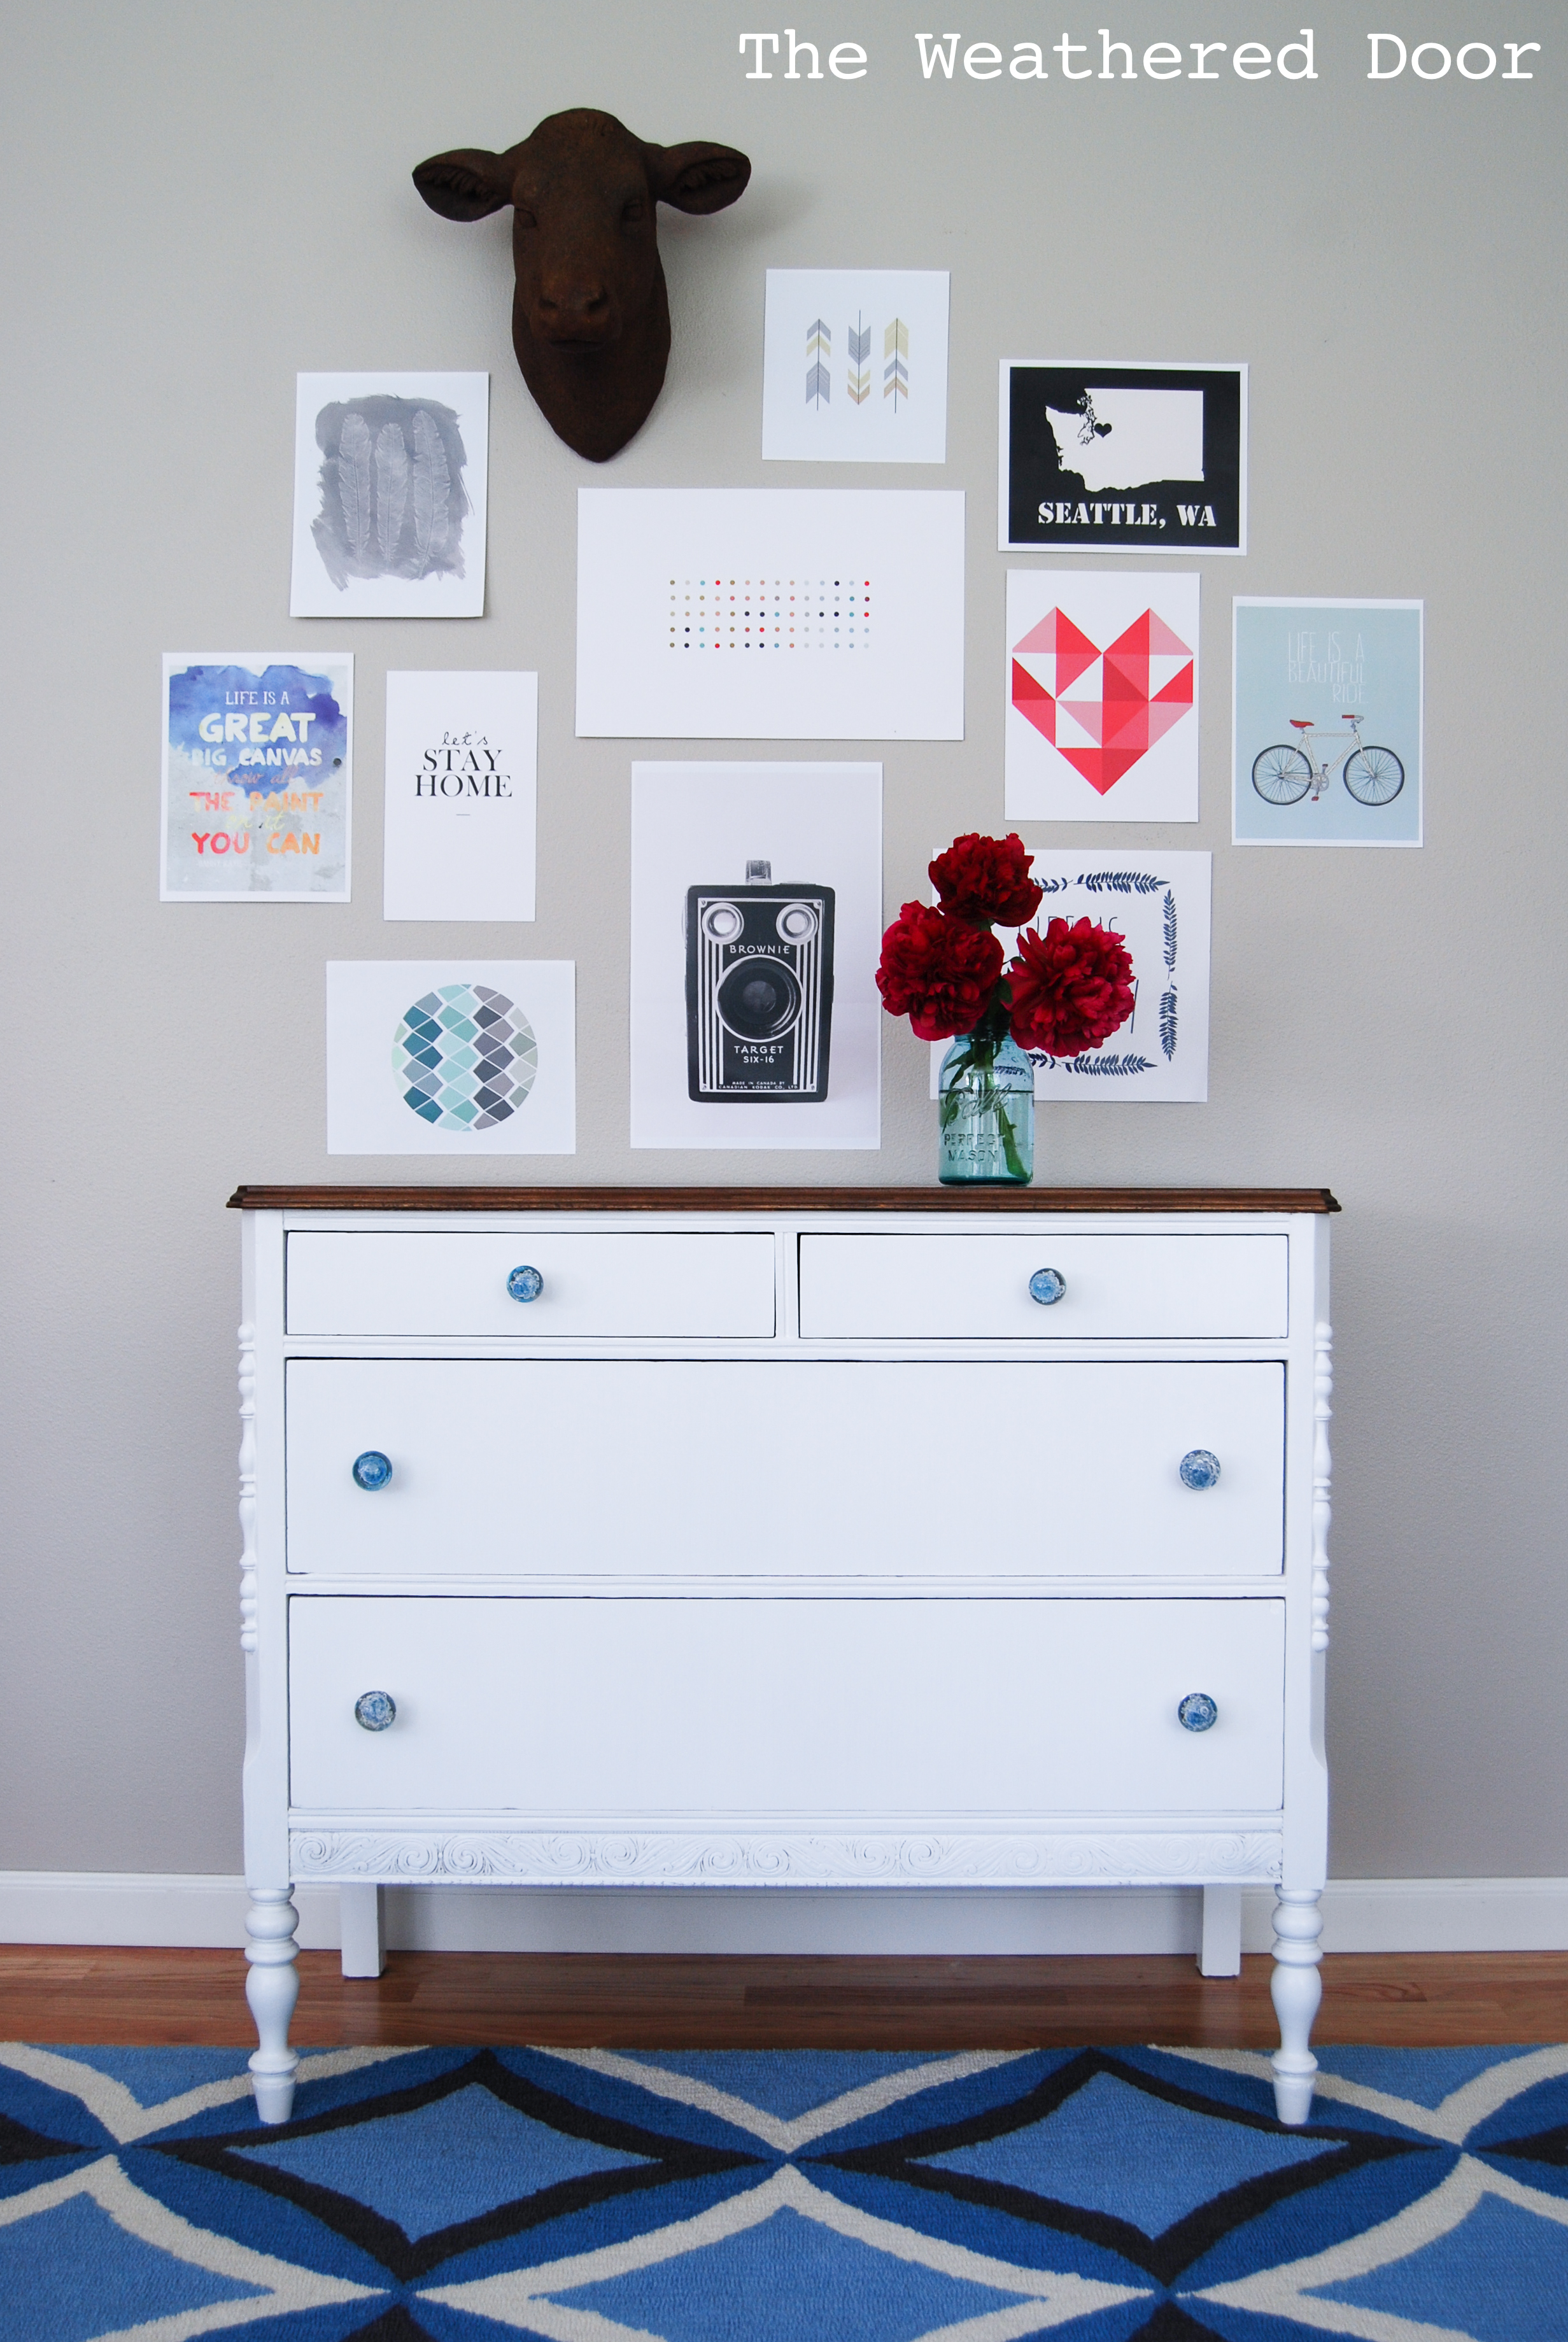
(1361, 1915)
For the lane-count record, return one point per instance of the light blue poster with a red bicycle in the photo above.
(1325, 723)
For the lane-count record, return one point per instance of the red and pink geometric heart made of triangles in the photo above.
(1103, 711)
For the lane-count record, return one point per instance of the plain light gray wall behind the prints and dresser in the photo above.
(207, 198)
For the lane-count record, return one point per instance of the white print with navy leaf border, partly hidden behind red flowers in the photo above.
(1161, 910)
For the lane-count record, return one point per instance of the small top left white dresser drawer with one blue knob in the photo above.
(540, 1285)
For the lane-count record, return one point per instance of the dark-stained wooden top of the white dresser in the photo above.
(782, 1200)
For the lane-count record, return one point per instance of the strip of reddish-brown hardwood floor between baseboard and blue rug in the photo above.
(67, 1994)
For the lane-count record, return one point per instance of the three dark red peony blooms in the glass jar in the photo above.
(943, 968)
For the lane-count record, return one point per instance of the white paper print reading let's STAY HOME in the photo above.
(461, 795)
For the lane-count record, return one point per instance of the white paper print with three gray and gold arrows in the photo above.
(854, 367)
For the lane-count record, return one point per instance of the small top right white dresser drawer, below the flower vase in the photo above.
(946, 1287)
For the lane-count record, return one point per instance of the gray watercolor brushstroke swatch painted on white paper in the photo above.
(393, 495)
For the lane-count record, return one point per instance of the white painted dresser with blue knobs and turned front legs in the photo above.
(786, 1538)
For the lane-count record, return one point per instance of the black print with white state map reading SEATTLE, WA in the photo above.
(1124, 458)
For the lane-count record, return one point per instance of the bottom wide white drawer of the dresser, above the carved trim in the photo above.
(627, 1711)
